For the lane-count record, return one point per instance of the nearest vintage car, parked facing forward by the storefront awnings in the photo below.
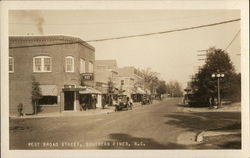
(123, 102)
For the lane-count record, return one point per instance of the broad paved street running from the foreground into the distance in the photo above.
(155, 126)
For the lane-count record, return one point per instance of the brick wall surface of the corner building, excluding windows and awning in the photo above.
(20, 81)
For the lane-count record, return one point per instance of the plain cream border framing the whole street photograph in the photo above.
(240, 4)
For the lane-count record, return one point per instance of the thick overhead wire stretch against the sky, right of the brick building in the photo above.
(164, 32)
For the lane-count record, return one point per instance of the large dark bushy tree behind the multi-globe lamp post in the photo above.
(204, 86)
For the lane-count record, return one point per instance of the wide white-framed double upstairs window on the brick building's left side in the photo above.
(42, 64)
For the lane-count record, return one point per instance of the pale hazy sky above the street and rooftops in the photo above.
(173, 55)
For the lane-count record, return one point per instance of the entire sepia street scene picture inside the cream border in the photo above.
(124, 79)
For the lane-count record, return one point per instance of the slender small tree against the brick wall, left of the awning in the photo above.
(35, 96)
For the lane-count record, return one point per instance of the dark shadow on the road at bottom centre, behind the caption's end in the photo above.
(125, 141)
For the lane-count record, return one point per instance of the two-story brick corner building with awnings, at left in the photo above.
(62, 65)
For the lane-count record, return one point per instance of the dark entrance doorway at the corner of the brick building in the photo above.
(69, 98)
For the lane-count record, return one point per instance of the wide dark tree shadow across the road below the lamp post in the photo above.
(201, 121)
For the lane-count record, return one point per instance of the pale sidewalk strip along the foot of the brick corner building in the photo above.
(89, 112)
